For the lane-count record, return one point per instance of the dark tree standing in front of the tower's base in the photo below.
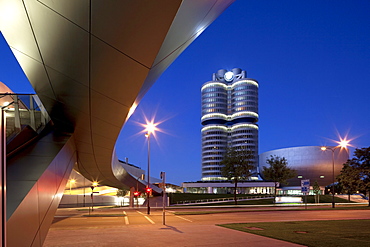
(237, 165)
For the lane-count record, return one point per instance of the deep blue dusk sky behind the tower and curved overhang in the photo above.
(312, 62)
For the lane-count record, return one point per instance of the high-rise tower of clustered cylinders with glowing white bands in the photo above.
(229, 117)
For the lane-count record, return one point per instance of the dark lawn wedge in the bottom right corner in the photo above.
(312, 233)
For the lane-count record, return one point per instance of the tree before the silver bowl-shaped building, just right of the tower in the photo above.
(278, 172)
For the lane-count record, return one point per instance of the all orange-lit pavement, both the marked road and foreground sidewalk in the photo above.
(71, 227)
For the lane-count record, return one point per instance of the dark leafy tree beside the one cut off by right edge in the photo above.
(349, 178)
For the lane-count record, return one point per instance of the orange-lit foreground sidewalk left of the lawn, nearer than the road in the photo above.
(179, 235)
